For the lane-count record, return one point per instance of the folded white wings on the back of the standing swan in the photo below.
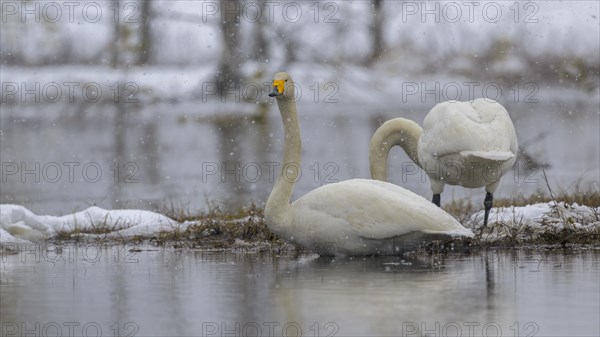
(479, 126)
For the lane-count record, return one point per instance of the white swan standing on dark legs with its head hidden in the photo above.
(471, 144)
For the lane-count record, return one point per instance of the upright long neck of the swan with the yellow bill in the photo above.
(279, 200)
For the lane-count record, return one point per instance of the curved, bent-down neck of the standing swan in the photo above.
(397, 131)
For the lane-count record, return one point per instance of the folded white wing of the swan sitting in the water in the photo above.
(374, 210)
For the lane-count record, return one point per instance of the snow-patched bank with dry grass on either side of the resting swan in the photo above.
(551, 221)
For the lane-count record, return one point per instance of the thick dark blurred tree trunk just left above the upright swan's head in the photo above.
(227, 74)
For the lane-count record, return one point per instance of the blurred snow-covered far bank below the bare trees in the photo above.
(346, 86)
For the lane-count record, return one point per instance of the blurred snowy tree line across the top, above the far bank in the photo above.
(235, 33)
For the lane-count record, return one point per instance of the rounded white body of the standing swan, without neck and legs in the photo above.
(476, 137)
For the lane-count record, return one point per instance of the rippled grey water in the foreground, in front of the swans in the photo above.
(119, 291)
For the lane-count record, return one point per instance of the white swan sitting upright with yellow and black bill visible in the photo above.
(353, 217)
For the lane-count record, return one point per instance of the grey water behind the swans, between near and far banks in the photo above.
(175, 155)
